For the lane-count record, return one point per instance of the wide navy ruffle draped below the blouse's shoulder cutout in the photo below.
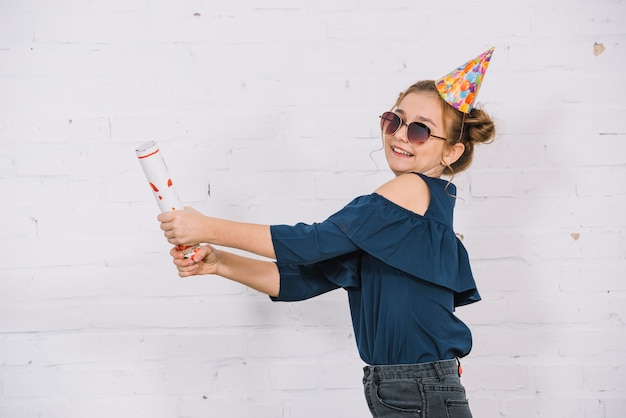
(417, 245)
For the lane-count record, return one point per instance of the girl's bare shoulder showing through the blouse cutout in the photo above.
(409, 191)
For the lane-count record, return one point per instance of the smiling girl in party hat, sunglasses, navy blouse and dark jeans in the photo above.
(394, 251)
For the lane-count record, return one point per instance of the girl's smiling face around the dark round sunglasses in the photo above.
(404, 156)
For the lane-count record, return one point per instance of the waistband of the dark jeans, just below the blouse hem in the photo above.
(437, 369)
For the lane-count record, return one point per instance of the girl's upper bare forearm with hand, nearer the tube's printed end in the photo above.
(190, 226)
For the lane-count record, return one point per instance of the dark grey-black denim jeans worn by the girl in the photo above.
(425, 390)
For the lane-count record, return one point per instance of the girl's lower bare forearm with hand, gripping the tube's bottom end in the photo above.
(259, 275)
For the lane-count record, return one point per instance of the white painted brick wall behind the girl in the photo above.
(272, 106)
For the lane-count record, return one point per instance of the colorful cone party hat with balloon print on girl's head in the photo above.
(460, 87)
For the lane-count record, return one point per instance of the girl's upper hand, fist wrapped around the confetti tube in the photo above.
(182, 227)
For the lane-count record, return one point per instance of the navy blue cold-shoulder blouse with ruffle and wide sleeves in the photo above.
(404, 274)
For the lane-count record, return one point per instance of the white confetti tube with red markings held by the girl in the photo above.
(158, 176)
